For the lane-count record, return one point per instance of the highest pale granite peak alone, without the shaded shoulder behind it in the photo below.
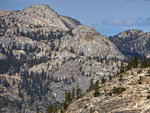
(42, 15)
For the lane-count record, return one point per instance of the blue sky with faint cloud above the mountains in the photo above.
(108, 17)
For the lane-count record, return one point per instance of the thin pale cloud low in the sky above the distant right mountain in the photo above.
(128, 22)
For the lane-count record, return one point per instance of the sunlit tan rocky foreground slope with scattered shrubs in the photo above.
(128, 92)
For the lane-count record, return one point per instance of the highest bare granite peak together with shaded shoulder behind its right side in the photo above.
(45, 16)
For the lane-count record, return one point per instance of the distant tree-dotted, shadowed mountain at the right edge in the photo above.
(133, 43)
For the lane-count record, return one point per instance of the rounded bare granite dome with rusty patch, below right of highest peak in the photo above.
(87, 41)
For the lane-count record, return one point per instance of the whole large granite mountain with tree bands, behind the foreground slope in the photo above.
(43, 54)
